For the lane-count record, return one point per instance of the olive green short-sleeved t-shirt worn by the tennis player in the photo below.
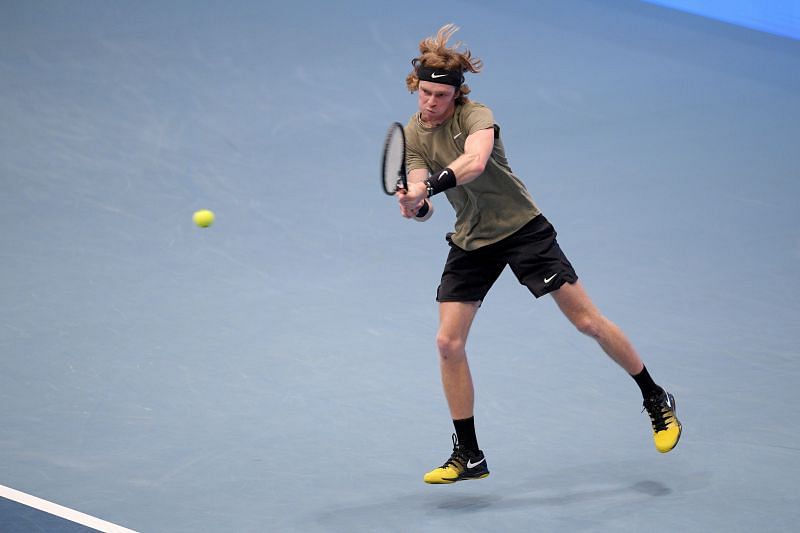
(492, 206)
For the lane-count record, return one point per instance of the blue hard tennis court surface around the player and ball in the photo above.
(277, 371)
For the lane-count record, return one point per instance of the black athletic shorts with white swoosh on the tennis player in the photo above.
(532, 253)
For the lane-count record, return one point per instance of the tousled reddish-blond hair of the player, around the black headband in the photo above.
(435, 53)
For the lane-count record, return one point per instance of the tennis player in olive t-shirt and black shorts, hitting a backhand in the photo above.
(454, 147)
